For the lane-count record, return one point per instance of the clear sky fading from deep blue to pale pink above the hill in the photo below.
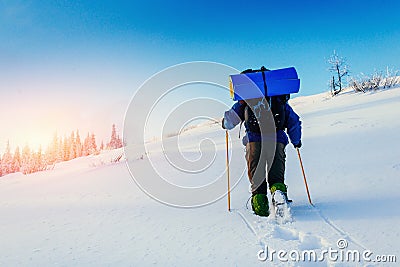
(83, 55)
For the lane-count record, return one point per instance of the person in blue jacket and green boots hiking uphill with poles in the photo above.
(288, 127)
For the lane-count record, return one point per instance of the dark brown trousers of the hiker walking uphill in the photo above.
(256, 167)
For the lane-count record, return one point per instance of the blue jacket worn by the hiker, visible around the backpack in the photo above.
(235, 116)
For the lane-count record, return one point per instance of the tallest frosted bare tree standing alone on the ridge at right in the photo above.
(339, 69)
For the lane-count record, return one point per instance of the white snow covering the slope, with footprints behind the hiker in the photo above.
(90, 212)
